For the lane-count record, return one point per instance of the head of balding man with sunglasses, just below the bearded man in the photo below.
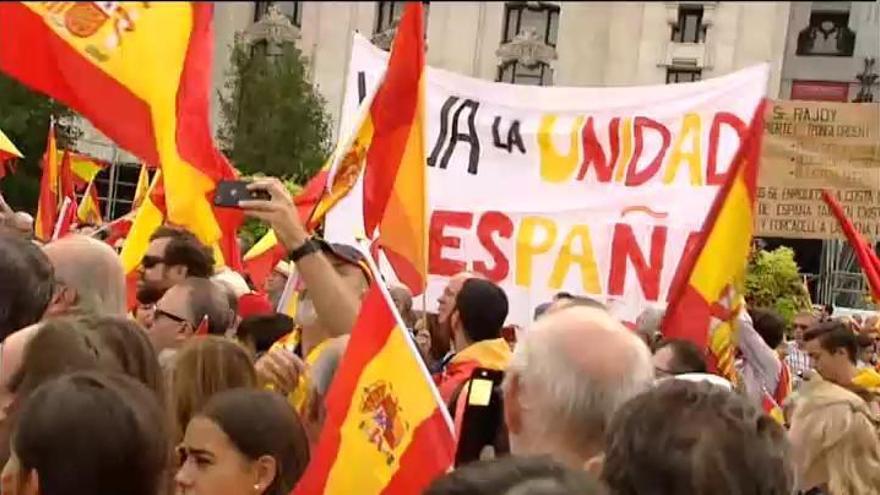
(183, 309)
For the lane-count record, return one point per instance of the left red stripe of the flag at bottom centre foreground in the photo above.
(358, 353)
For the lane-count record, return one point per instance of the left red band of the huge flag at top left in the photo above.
(32, 53)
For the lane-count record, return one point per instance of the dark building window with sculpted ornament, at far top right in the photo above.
(828, 34)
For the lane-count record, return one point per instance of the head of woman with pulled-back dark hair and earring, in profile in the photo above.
(243, 441)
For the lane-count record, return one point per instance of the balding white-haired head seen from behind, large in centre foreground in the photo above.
(573, 370)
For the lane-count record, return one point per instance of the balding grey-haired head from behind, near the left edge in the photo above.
(90, 276)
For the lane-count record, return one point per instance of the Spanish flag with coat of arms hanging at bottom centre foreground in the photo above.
(387, 431)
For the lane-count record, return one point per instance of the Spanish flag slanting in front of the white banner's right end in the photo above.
(703, 306)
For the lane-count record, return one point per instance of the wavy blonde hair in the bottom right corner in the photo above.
(841, 438)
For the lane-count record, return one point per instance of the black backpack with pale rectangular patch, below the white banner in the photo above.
(482, 423)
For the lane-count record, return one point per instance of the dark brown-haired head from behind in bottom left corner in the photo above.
(88, 434)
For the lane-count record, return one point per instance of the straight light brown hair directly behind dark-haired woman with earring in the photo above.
(203, 367)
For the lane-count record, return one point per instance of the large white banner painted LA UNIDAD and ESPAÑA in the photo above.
(592, 191)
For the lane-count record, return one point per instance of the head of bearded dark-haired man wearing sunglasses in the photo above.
(173, 256)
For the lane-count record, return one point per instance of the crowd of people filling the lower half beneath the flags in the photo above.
(202, 388)
